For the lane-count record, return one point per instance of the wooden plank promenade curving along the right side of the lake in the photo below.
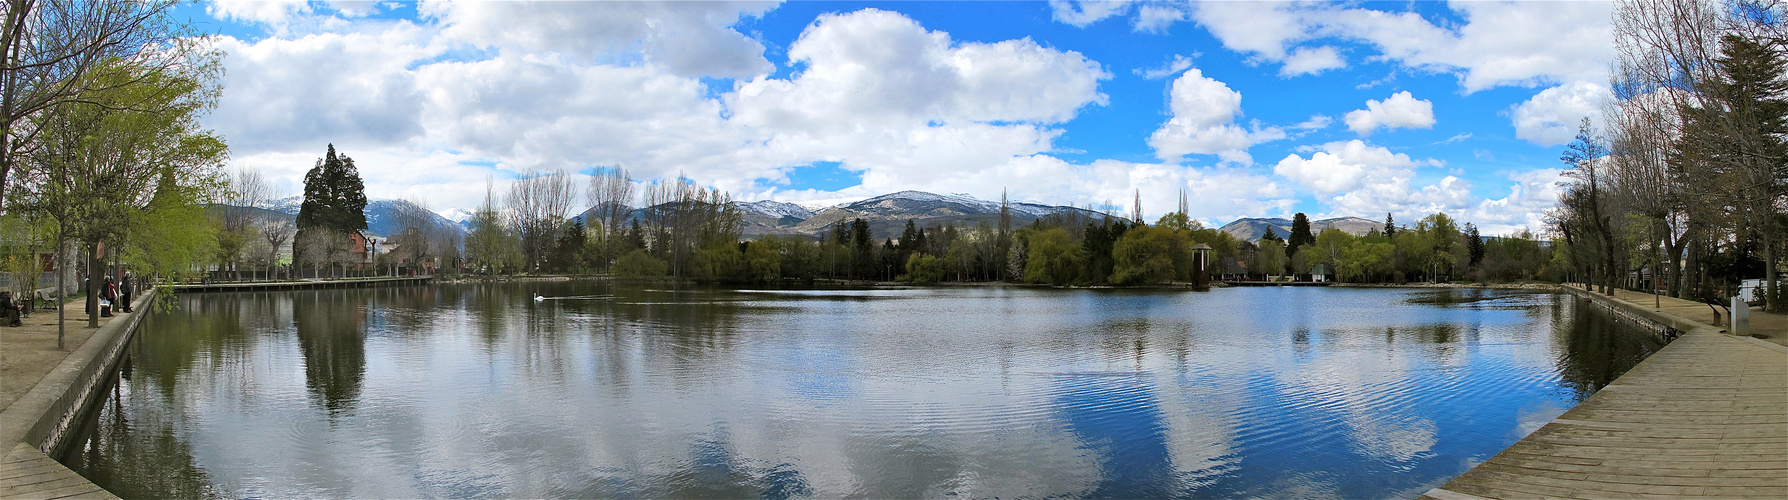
(1705, 417)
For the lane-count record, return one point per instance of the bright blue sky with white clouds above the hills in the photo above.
(1249, 108)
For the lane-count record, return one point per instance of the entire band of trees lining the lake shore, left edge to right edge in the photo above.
(105, 167)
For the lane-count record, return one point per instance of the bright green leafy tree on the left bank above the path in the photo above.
(105, 158)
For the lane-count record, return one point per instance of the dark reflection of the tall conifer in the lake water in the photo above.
(333, 340)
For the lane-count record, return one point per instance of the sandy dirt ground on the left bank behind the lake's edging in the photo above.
(30, 353)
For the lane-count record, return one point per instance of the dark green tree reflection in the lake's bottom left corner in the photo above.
(137, 460)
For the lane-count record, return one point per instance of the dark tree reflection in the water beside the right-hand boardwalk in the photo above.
(1596, 347)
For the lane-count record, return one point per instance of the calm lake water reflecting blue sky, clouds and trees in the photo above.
(620, 390)
